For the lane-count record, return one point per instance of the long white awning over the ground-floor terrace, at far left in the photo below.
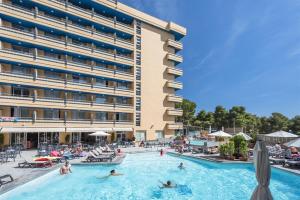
(30, 129)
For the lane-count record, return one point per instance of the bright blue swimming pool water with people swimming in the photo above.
(142, 173)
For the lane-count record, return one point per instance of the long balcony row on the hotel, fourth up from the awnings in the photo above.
(42, 61)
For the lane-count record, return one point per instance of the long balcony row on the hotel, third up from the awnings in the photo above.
(29, 80)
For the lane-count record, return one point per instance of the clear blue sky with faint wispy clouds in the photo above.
(237, 52)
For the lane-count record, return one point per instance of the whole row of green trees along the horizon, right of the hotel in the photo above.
(237, 116)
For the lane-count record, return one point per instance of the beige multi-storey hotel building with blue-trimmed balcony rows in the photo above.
(72, 67)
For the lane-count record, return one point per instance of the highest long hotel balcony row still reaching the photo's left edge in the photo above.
(60, 24)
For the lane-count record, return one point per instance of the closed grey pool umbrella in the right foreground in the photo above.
(263, 172)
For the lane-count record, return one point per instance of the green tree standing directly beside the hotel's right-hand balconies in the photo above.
(189, 109)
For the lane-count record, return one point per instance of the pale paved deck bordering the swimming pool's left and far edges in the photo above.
(24, 175)
